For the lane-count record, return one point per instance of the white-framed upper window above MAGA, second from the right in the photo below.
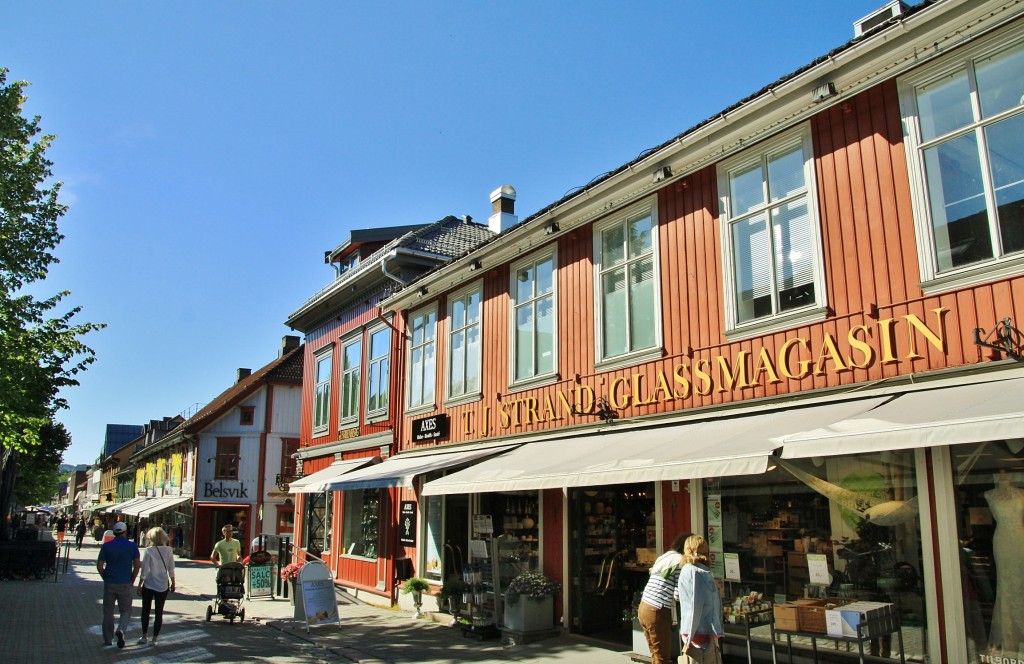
(771, 232)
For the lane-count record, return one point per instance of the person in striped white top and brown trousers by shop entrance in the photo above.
(658, 611)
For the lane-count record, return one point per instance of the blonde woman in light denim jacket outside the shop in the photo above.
(700, 606)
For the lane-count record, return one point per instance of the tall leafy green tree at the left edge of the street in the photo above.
(41, 350)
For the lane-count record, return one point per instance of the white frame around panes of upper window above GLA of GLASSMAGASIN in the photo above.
(643, 209)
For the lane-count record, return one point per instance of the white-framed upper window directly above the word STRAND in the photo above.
(533, 293)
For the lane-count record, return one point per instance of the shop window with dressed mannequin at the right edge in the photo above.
(990, 489)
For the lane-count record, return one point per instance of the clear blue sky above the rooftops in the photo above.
(211, 152)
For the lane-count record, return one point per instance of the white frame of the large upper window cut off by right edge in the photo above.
(1001, 266)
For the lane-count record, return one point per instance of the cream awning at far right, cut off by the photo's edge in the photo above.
(951, 416)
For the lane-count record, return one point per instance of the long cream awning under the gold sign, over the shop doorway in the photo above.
(738, 445)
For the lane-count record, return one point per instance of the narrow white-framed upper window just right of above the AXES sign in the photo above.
(465, 314)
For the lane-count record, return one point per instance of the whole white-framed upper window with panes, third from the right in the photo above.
(628, 301)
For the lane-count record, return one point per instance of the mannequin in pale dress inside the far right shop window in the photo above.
(1007, 504)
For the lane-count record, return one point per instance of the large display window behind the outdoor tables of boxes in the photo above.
(829, 527)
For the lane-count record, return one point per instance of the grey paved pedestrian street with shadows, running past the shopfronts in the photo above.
(60, 621)
